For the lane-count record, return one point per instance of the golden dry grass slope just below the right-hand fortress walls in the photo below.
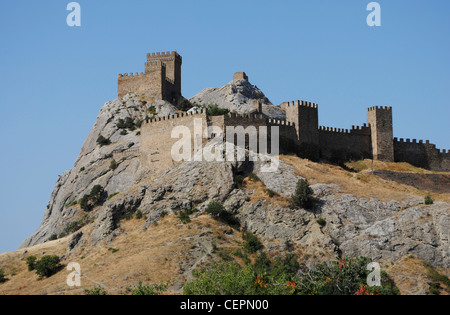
(362, 184)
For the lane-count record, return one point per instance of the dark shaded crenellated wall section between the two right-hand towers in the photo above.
(345, 144)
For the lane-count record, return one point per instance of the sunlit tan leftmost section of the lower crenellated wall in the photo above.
(157, 141)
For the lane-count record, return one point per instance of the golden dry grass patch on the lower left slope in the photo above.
(153, 256)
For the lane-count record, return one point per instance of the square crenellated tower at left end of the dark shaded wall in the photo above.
(305, 117)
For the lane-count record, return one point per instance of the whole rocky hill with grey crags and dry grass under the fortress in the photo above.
(360, 212)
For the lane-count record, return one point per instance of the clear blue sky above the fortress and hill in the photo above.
(55, 78)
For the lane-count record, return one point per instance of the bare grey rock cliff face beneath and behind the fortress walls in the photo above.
(383, 230)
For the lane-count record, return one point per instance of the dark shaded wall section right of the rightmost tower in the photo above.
(421, 154)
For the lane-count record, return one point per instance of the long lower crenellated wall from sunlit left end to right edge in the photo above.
(333, 144)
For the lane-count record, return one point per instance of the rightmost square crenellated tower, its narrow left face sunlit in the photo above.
(380, 122)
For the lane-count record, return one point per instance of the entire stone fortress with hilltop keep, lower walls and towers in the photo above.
(299, 133)
